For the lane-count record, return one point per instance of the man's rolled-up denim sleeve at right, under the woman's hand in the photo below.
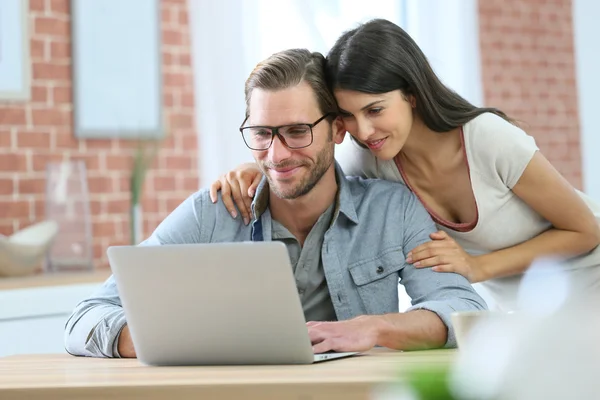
(441, 293)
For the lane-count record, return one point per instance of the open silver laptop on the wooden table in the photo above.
(213, 304)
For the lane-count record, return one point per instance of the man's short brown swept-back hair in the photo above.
(289, 68)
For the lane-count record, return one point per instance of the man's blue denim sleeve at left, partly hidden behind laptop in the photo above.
(94, 327)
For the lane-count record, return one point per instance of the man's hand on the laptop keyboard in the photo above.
(357, 334)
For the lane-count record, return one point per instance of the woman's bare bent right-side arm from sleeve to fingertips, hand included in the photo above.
(575, 230)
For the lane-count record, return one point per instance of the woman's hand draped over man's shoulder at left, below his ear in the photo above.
(239, 186)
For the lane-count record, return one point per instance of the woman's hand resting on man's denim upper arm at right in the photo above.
(443, 254)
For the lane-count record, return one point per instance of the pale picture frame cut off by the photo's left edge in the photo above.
(15, 66)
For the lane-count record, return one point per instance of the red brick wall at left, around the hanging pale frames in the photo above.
(39, 131)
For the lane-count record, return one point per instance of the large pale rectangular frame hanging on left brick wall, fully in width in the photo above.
(117, 69)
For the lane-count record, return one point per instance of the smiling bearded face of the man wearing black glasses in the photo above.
(292, 173)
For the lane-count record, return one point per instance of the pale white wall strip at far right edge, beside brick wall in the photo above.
(586, 14)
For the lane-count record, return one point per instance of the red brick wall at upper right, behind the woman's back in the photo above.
(528, 70)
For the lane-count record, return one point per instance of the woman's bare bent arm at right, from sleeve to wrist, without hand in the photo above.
(575, 229)
